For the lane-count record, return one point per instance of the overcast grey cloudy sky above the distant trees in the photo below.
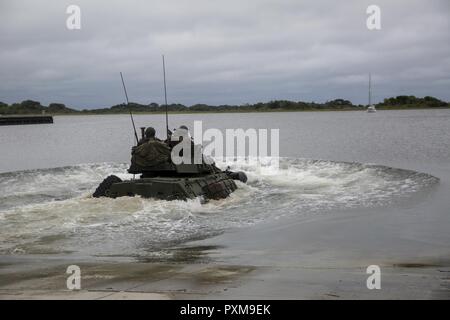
(222, 52)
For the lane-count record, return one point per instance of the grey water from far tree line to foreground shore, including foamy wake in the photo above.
(50, 211)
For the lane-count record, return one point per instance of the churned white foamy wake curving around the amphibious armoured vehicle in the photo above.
(52, 211)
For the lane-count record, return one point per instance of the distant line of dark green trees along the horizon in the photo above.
(399, 102)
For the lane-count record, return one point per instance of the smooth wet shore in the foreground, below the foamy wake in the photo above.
(313, 260)
